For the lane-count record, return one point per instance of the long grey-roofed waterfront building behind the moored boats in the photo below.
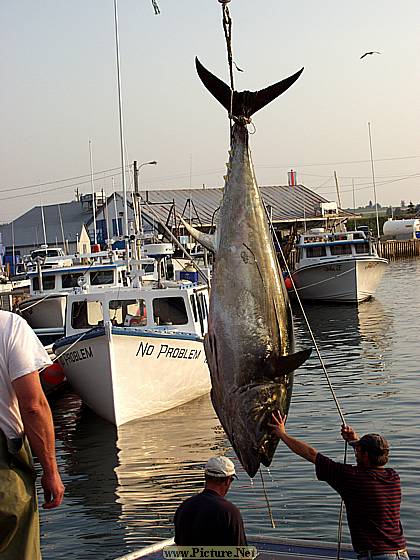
(60, 224)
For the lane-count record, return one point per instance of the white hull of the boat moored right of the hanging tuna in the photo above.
(344, 280)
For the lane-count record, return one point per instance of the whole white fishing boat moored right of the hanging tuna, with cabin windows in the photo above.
(337, 267)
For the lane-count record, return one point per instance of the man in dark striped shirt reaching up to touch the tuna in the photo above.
(371, 492)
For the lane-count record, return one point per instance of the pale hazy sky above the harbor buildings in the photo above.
(59, 92)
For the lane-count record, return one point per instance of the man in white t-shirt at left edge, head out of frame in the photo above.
(24, 416)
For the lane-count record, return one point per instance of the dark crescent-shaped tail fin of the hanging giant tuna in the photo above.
(245, 103)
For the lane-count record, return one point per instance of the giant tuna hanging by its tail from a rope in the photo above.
(249, 345)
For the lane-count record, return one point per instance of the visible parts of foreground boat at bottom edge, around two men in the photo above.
(272, 549)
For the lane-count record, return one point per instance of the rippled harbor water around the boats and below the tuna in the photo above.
(123, 486)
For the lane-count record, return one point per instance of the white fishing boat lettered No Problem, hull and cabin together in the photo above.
(135, 352)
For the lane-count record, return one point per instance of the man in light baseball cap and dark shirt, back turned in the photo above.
(208, 519)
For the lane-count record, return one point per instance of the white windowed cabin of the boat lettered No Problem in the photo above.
(183, 309)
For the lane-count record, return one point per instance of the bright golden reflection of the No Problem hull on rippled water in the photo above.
(161, 463)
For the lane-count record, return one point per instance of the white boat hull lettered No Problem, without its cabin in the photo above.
(123, 374)
